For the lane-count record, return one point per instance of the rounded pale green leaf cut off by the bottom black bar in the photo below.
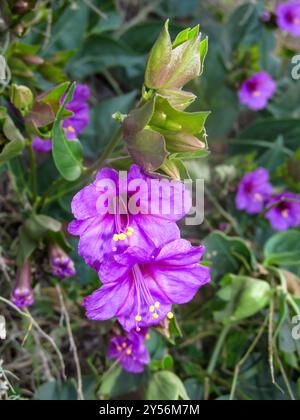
(167, 386)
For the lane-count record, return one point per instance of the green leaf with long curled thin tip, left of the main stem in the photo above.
(67, 155)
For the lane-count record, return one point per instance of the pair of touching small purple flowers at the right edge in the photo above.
(255, 195)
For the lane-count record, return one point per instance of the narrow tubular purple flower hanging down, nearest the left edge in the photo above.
(22, 295)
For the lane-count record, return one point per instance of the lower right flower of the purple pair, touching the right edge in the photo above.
(286, 213)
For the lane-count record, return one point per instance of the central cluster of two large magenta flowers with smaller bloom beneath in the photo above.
(144, 266)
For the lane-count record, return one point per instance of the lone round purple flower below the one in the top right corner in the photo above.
(256, 91)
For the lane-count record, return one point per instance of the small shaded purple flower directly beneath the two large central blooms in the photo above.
(130, 351)
